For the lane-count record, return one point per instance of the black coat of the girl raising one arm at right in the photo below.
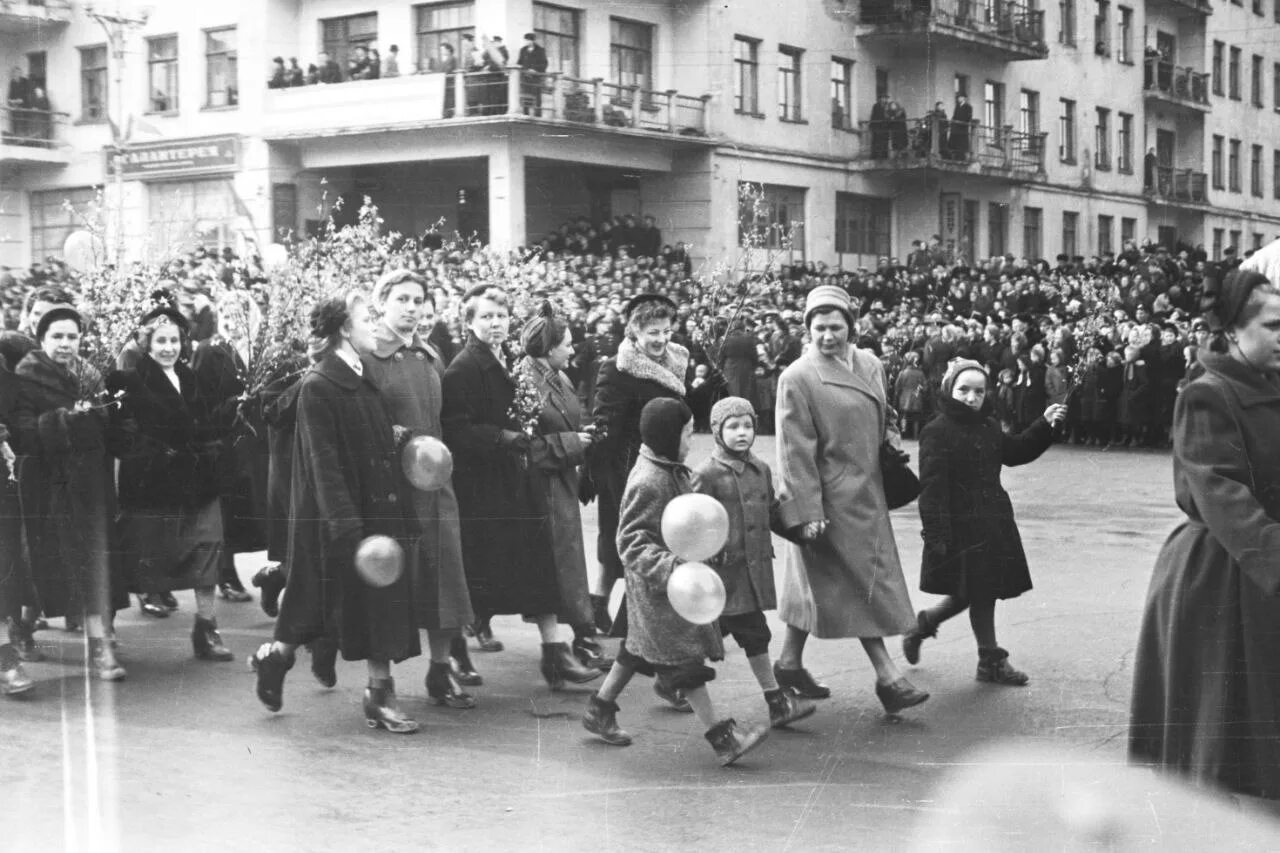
(972, 546)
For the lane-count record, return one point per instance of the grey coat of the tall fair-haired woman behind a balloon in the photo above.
(410, 376)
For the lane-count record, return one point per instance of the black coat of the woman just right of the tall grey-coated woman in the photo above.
(506, 530)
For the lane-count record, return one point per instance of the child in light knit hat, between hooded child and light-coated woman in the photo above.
(739, 480)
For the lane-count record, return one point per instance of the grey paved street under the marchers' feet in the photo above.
(181, 756)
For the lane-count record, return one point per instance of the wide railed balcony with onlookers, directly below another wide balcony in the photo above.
(930, 144)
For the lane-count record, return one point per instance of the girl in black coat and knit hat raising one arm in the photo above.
(973, 554)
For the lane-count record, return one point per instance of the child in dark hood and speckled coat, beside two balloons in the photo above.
(661, 642)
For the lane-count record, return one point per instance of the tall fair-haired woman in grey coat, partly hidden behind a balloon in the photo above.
(410, 372)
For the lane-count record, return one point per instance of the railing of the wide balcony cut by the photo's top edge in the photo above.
(1005, 21)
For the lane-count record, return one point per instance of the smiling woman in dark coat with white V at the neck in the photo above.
(171, 476)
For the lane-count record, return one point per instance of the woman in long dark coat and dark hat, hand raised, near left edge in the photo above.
(66, 482)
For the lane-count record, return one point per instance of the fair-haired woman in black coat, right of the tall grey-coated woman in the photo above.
(506, 528)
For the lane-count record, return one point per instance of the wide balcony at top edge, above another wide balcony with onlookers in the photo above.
(1007, 31)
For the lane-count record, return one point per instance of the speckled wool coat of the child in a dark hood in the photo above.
(656, 632)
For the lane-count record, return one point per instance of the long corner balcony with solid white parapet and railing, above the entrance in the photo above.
(483, 98)
